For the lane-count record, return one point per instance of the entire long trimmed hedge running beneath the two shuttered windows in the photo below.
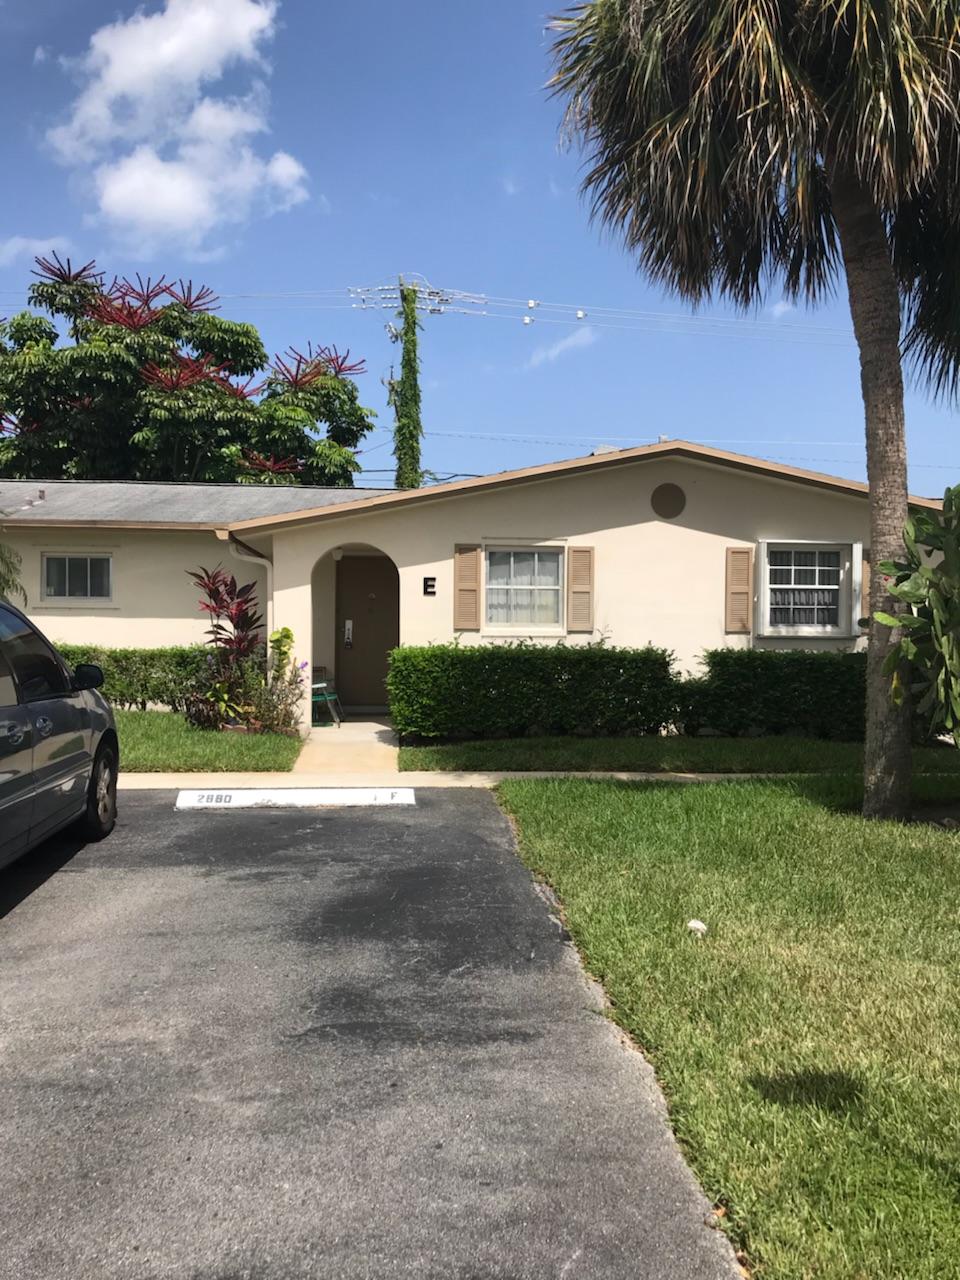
(476, 692)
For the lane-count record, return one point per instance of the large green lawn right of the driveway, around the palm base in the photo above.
(810, 1046)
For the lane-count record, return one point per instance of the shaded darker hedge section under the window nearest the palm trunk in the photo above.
(769, 692)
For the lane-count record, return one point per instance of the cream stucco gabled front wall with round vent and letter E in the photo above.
(656, 582)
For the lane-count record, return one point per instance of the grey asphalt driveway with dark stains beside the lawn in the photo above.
(271, 1045)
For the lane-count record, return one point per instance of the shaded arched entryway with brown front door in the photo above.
(356, 623)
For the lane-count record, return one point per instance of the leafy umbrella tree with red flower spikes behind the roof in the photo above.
(141, 381)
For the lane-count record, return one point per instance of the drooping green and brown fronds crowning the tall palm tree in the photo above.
(712, 127)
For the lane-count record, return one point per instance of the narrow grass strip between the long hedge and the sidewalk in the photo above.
(680, 755)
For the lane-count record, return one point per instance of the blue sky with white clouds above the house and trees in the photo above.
(285, 152)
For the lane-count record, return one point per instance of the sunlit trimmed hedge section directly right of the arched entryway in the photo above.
(449, 692)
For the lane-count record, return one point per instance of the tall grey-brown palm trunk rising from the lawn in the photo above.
(875, 307)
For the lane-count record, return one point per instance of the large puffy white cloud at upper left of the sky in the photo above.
(172, 163)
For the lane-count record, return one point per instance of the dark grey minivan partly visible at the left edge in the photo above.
(60, 753)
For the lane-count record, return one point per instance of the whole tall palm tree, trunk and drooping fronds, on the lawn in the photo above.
(738, 144)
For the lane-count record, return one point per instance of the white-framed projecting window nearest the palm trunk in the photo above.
(808, 589)
